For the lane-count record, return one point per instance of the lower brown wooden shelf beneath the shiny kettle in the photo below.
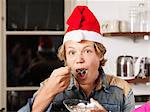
(139, 80)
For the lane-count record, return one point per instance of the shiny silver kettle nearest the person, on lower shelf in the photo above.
(128, 66)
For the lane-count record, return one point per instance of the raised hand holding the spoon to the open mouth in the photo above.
(58, 81)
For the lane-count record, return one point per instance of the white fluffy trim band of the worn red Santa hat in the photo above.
(78, 35)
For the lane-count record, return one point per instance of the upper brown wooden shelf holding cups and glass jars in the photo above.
(126, 34)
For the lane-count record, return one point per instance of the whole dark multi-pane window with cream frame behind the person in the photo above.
(27, 22)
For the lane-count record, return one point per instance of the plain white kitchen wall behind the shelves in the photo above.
(116, 46)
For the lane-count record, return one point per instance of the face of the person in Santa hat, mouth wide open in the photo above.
(82, 56)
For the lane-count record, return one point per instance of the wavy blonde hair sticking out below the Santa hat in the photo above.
(100, 50)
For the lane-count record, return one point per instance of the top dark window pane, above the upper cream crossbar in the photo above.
(35, 15)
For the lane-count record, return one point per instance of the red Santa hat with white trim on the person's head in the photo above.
(83, 25)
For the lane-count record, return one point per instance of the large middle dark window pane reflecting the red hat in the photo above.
(31, 59)
